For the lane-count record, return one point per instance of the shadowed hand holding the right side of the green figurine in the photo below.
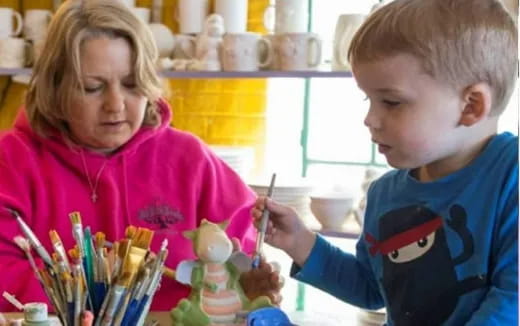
(264, 280)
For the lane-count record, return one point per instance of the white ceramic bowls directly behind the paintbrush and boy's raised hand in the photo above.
(294, 193)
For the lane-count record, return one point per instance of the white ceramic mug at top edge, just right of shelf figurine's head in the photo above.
(234, 13)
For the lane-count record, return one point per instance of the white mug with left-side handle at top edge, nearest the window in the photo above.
(291, 16)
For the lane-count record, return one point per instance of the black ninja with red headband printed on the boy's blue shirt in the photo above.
(419, 275)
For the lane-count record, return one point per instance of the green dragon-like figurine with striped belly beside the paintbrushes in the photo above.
(216, 295)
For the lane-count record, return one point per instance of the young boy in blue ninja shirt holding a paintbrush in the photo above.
(439, 242)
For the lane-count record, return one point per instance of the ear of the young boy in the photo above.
(477, 104)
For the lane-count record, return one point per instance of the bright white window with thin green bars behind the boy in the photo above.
(335, 116)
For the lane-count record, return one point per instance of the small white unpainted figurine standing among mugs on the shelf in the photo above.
(209, 43)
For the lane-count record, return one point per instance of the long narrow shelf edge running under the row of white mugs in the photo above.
(221, 74)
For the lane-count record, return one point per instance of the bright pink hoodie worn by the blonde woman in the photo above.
(162, 179)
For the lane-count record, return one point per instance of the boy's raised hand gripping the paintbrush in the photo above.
(285, 230)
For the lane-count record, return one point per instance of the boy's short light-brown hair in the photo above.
(460, 42)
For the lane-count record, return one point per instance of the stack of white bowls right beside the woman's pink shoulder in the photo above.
(239, 158)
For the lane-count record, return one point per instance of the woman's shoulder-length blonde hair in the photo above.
(57, 73)
